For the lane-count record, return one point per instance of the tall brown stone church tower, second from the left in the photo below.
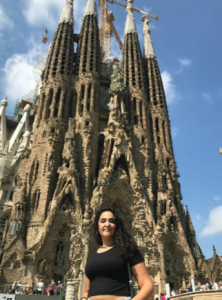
(87, 89)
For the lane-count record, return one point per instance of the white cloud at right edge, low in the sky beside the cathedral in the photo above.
(214, 223)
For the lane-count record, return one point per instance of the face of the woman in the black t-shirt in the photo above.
(106, 225)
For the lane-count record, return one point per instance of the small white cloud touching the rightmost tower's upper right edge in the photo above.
(169, 87)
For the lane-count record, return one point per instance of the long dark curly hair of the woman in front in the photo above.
(123, 240)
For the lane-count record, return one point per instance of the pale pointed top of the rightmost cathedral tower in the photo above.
(148, 45)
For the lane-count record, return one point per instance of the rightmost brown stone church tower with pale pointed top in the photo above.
(169, 212)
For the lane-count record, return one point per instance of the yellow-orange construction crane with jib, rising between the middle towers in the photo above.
(107, 28)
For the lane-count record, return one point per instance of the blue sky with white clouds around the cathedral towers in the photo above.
(187, 41)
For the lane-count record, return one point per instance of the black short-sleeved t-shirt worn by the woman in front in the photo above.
(108, 272)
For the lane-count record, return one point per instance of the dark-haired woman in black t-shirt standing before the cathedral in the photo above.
(107, 268)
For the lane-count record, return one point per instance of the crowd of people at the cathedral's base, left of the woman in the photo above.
(38, 288)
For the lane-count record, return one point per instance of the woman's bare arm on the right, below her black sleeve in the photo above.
(144, 281)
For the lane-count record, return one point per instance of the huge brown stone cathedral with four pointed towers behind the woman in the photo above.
(98, 134)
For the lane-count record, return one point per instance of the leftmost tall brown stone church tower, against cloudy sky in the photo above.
(37, 178)
